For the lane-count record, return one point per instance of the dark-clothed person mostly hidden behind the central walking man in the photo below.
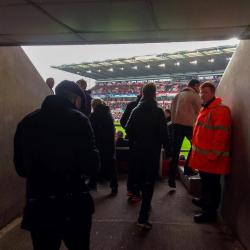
(123, 121)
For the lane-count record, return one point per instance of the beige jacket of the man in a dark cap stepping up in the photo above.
(185, 107)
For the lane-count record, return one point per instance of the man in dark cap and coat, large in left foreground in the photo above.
(54, 147)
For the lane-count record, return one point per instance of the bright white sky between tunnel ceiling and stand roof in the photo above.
(43, 57)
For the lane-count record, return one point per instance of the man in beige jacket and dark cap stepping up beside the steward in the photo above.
(185, 108)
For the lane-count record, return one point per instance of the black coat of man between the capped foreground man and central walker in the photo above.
(103, 125)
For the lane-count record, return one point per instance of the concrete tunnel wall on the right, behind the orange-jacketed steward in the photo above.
(234, 90)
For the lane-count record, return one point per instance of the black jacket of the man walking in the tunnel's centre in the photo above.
(147, 128)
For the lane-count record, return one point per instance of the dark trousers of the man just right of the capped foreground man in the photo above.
(107, 164)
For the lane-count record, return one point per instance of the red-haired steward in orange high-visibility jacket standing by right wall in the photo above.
(210, 151)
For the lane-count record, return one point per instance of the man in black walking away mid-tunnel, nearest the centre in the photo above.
(147, 129)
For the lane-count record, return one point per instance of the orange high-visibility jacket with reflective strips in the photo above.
(211, 139)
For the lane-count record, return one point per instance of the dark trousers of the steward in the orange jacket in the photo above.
(211, 191)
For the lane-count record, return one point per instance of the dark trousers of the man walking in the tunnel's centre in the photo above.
(147, 167)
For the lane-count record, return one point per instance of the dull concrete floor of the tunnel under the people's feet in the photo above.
(114, 224)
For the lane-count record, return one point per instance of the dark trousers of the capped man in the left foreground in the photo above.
(43, 240)
